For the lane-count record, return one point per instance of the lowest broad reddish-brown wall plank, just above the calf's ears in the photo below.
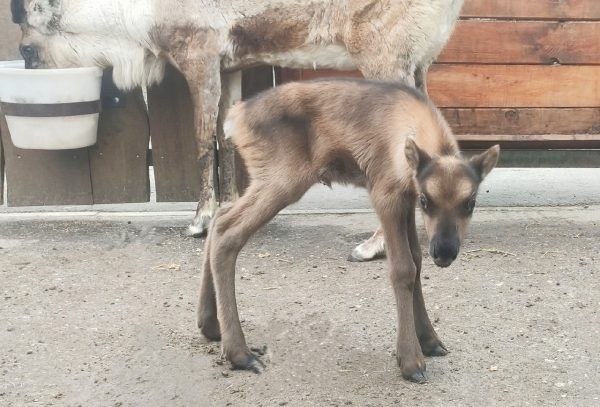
(524, 121)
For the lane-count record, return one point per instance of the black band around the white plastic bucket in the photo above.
(50, 109)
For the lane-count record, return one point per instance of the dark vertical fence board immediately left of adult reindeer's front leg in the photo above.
(174, 156)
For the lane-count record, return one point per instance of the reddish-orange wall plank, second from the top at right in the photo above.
(523, 42)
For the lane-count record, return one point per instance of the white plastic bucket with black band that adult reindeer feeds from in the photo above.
(50, 109)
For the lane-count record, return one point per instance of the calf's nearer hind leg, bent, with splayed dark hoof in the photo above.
(229, 233)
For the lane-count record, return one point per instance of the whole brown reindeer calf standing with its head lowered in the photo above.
(385, 137)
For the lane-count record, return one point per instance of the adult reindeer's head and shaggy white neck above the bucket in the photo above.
(108, 33)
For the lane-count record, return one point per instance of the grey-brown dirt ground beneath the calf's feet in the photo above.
(102, 313)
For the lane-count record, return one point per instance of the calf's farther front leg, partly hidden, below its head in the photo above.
(430, 343)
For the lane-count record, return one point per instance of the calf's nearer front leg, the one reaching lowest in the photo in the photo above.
(403, 274)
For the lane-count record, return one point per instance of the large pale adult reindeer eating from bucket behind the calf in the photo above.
(209, 40)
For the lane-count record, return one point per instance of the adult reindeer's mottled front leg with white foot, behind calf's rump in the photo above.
(204, 81)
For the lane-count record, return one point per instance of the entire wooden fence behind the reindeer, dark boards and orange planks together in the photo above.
(525, 74)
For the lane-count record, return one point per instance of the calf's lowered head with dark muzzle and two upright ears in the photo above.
(447, 191)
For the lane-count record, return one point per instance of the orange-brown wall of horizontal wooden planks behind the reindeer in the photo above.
(525, 73)
